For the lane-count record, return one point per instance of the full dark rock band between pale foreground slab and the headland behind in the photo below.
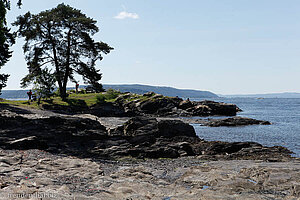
(141, 137)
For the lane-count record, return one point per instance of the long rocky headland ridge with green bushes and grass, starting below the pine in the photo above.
(149, 104)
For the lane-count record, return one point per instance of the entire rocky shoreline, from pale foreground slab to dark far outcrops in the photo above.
(90, 156)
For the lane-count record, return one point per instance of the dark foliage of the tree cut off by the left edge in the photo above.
(6, 39)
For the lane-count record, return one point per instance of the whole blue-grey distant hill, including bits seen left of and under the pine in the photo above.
(135, 88)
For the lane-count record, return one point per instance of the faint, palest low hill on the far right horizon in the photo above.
(271, 95)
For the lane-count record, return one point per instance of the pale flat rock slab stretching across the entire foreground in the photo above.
(35, 172)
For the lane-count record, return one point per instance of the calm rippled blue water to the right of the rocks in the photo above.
(283, 113)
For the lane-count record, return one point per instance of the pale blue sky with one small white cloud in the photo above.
(222, 46)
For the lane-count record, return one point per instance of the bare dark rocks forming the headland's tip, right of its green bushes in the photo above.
(158, 105)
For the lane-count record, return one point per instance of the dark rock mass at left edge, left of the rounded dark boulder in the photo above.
(55, 134)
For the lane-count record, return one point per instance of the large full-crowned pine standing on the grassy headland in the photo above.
(62, 38)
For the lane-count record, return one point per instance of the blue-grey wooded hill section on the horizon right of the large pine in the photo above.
(166, 91)
